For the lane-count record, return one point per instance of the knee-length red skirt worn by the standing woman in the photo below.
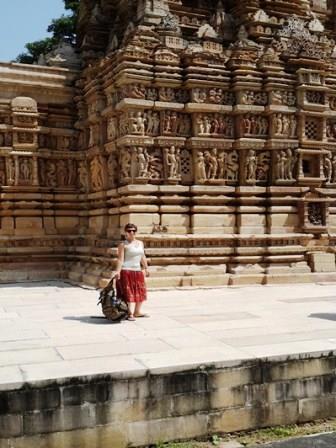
(131, 286)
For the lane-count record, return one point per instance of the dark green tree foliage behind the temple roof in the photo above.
(62, 28)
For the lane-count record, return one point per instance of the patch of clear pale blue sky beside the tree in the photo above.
(25, 21)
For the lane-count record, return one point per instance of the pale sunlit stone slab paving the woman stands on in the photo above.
(54, 330)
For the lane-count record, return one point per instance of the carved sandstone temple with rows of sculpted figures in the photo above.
(209, 124)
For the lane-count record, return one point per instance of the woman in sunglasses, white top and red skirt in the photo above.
(130, 277)
